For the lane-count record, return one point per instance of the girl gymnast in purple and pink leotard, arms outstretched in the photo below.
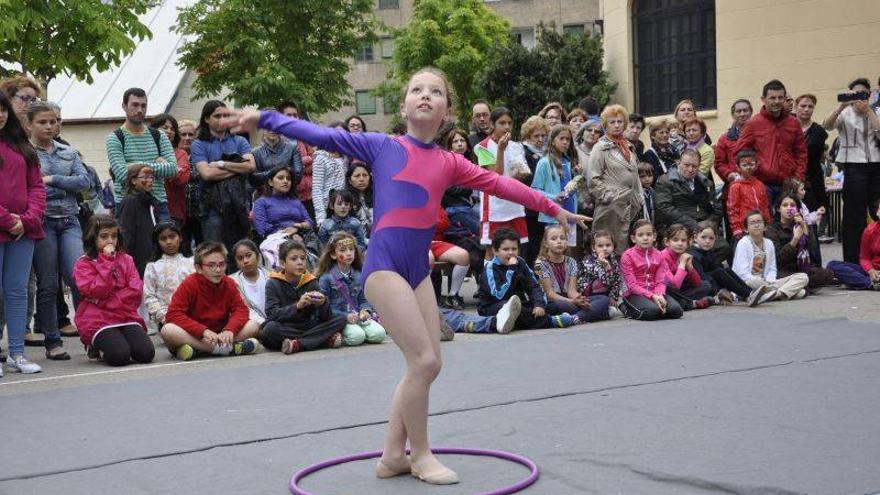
(410, 174)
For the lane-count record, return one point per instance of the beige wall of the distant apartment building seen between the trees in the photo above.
(522, 14)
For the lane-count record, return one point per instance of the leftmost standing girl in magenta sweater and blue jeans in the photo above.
(22, 203)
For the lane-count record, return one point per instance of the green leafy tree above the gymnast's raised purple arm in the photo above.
(265, 52)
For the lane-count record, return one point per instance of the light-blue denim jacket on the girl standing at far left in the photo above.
(69, 177)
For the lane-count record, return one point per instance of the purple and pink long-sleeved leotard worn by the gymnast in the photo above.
(409, 178)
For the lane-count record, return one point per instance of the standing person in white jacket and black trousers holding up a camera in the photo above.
(858, 127)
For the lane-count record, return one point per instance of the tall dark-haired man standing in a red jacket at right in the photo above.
(777, 138)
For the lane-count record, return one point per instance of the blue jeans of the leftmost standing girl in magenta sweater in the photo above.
(15, 258)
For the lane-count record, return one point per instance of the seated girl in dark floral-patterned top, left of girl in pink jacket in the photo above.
(599, 273)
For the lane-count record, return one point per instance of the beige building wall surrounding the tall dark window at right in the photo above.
(812, 46)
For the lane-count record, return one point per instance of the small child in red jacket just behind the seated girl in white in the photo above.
(745, 194)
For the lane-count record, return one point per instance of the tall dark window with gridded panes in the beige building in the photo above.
(674, 43)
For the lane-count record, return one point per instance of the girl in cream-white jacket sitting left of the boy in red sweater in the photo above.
(165, 273)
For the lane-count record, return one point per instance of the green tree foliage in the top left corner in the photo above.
(45, 38)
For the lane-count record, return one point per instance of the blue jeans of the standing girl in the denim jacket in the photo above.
(55, 254)
